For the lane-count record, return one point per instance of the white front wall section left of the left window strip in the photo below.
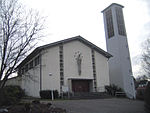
(50, 64)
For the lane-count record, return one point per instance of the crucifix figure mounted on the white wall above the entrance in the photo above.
(78, 56)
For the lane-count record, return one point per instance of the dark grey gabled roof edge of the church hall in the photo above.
(79, 38)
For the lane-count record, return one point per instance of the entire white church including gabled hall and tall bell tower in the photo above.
(76, 65)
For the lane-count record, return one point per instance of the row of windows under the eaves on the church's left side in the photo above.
(30, 65)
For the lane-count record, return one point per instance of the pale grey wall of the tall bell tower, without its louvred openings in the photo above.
(119, 64)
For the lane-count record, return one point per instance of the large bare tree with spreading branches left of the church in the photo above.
(19, 30)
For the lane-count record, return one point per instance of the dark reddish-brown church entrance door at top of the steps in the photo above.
(80, 85)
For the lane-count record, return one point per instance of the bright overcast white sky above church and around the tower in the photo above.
(69, 18)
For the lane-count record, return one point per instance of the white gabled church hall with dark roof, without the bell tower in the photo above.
(73, 64)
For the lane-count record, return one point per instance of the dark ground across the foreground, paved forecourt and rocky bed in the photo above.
(111, 105)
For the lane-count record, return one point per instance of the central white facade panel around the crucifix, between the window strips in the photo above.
(70, 63)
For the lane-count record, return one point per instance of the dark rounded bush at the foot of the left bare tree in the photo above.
(11, 95)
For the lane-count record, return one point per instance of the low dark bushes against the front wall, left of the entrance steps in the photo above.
(46, 94)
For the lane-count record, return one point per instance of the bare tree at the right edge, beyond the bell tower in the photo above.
(146, 57)
